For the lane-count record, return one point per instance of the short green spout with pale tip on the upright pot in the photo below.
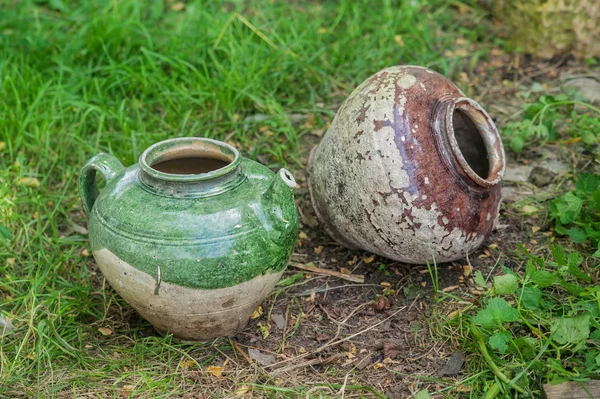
(278, 199)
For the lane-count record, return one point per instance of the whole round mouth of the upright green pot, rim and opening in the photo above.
(189, 159)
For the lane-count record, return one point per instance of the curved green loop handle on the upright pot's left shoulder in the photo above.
(108, 166)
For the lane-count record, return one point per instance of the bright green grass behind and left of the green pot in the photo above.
(82, 77)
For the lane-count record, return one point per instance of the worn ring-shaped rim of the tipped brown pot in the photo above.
(489, 134)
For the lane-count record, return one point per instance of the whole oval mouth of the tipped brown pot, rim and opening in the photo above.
(475, 142)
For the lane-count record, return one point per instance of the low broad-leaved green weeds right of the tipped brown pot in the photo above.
(537, 321)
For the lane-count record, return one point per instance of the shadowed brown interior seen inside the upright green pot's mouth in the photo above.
(192, 159)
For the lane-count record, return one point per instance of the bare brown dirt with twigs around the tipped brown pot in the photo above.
(323, 329)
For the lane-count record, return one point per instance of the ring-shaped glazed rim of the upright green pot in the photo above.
(185, 147)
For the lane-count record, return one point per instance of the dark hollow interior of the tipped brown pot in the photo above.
(471, 143)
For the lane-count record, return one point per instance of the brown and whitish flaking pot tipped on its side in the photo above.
(410, 169)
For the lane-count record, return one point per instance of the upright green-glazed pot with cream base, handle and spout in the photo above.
(194, 254)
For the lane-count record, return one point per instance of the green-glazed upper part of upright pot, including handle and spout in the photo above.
(211, 230)
